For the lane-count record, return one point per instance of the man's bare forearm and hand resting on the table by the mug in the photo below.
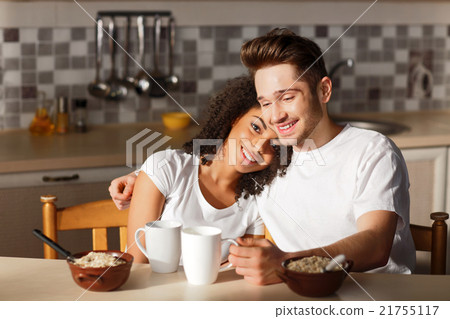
(369, 248)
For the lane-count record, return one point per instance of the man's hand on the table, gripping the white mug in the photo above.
(256, 260)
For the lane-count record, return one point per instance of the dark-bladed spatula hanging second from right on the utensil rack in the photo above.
(158, 87)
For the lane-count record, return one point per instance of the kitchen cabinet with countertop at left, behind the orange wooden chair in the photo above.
(96, 157)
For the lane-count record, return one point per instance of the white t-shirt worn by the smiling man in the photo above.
(326, 190)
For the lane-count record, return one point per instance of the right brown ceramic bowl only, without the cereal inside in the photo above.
(313, 284)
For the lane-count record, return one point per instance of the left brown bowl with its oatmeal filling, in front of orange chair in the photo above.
(100, 270)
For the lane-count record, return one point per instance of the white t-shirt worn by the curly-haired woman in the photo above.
(175, 174)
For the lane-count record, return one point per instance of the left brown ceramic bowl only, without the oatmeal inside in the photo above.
(104, 278)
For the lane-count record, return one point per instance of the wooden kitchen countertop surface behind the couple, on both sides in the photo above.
(105, 145)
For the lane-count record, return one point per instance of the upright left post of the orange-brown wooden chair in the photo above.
(49, 224)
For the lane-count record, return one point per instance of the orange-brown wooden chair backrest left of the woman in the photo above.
(98, 216)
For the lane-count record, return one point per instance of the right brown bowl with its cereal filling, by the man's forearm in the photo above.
(306, 275)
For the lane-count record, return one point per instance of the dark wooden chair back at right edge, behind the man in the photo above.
(434, 240)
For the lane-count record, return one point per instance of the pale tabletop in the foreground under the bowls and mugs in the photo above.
(39, 279)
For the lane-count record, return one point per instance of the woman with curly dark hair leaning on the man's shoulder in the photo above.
(210, 185)
